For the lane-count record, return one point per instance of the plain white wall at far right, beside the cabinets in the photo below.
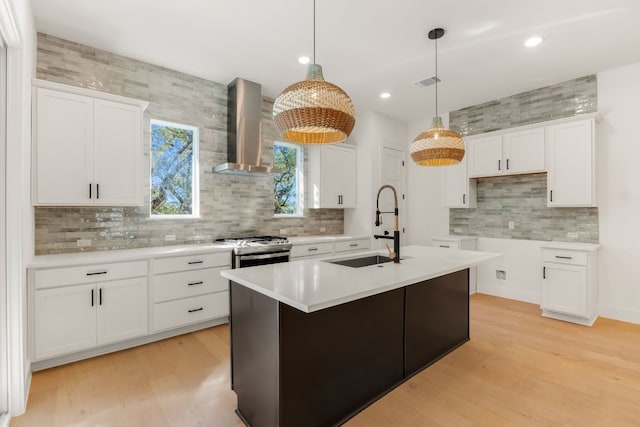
(619, 192)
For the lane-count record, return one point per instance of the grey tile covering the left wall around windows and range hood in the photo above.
(229, 204)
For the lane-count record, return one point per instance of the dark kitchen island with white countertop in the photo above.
(313, 343)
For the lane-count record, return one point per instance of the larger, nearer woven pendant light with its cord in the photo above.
(314, 111)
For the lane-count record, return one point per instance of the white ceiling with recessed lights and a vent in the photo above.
(364, 46)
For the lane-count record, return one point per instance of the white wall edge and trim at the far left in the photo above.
(18, 30)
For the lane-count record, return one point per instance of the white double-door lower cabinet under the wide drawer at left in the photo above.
(79, 317)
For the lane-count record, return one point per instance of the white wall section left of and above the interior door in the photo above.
(371, 133)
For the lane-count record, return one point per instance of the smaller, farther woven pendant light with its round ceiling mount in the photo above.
(437, 146)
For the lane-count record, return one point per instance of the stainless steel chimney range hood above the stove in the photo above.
(244, 126)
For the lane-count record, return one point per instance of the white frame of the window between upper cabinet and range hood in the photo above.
(195, 170)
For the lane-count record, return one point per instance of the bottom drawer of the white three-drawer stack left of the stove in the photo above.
(173, 314)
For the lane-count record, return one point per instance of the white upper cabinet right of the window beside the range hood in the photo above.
(332, 177)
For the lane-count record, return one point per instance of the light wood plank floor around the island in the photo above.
(519, 369)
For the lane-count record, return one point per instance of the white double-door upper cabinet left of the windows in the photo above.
(87, 147)
